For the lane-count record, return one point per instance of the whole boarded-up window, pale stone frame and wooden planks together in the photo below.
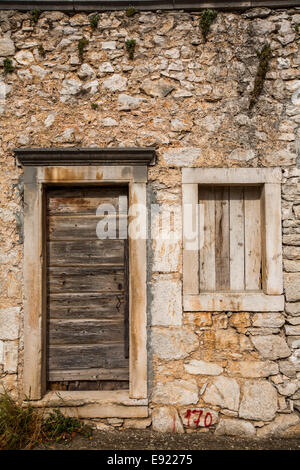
(232, 239)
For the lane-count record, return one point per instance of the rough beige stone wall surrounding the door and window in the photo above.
(229, 373)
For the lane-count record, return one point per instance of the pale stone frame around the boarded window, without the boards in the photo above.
(271, 298)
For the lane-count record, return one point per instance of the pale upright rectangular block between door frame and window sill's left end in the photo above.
(166, 306)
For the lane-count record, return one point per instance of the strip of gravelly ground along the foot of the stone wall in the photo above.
(149, 440)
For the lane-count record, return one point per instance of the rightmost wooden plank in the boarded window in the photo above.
(252, 238)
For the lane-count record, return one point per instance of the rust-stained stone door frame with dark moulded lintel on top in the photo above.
(50, 167)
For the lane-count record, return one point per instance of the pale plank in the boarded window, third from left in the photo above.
(237, 239)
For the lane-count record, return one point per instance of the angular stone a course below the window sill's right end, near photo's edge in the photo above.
(271, 346)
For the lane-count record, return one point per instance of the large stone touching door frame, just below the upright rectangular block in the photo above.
(173, 343)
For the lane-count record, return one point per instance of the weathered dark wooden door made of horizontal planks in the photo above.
(87, 291)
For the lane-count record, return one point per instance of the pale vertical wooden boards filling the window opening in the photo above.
(230, 238)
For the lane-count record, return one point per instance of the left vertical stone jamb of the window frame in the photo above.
(190, 239)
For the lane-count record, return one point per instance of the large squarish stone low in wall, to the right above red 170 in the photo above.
(259, 401)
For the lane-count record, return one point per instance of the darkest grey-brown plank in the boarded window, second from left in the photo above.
(222, 238)
